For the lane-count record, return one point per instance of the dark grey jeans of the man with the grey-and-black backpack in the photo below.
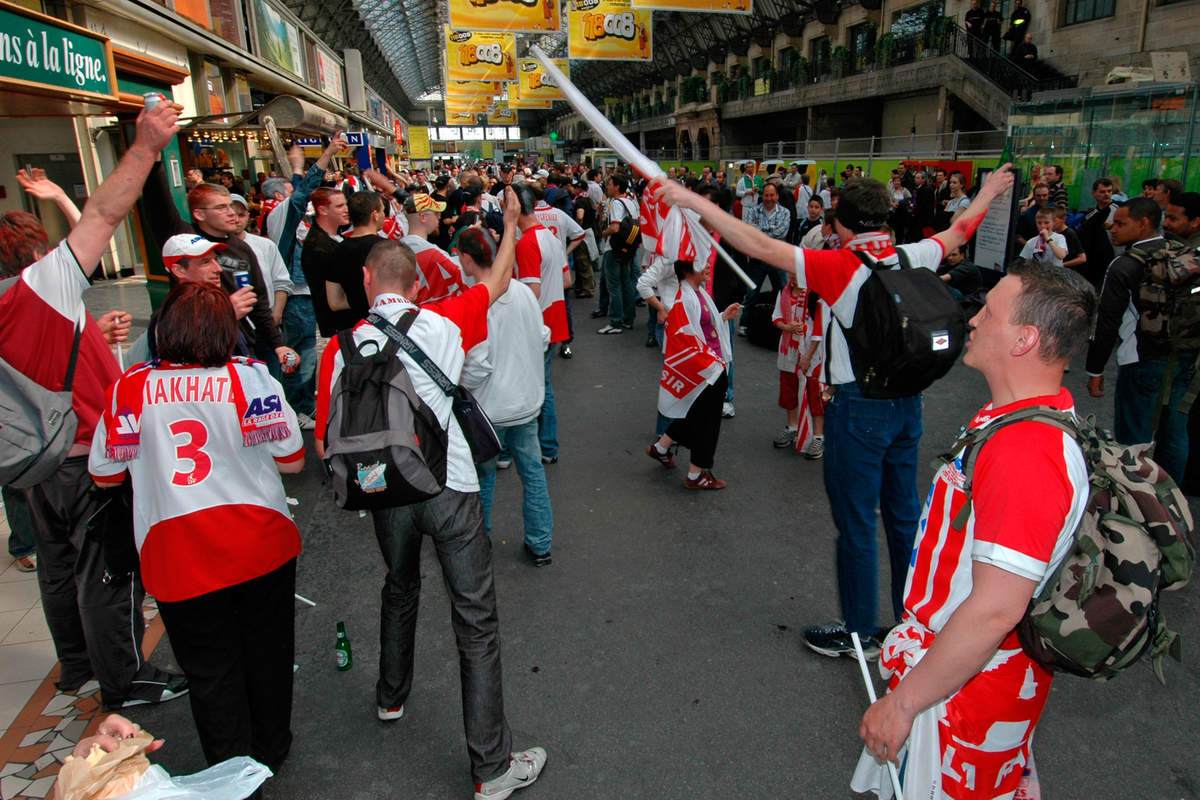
(455, 524)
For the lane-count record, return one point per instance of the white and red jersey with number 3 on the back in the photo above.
(209, 513)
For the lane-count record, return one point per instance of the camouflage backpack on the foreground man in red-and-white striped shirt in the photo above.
(1099, 613)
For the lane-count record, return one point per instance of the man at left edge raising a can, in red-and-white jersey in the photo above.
(39, 318)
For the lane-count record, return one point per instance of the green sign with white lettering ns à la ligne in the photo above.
(40, 52)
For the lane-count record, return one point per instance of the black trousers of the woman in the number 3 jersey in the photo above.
(237, 647)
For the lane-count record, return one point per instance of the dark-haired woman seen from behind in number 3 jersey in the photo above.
(201, 435)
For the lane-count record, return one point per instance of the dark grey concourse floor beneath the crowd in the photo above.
(659, 658)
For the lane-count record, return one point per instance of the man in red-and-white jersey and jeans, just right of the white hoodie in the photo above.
(542, 266)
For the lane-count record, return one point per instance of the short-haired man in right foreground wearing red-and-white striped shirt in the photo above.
(961, 682)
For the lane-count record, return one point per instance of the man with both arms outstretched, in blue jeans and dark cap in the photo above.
(872, 444)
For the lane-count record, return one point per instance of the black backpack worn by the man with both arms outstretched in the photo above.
(908, 332)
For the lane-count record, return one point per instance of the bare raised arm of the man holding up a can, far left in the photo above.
(113, 200)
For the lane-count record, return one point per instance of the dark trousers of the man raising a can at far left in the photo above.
(97, 624)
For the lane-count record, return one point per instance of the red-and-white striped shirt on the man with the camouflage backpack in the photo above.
(1023, 532)
